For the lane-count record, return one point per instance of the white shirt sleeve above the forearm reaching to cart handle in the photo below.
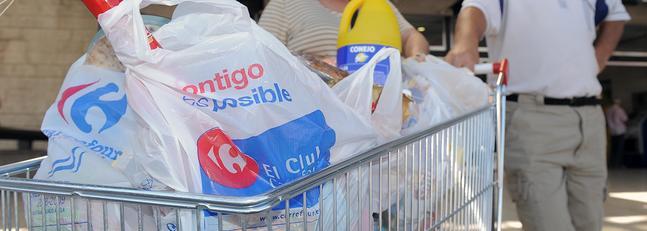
(493, 11)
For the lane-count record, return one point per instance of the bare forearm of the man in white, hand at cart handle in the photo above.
(470, 27)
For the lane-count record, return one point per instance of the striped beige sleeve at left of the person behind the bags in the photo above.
(275, 21)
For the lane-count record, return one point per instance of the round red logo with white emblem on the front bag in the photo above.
(223, 162)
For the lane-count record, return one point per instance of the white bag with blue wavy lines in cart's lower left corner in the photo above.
(70, 160)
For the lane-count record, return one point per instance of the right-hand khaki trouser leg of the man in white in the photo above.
(586, 179)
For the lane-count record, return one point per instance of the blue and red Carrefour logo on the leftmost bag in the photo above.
(112, 109)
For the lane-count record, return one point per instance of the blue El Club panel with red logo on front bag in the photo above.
(255, 165)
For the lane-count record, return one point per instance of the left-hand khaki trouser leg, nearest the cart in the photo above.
(540, 142)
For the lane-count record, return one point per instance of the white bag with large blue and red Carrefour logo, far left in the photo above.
(92, 108)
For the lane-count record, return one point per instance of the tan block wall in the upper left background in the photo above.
(39, 39)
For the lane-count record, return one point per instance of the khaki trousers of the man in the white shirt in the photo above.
(556, 164)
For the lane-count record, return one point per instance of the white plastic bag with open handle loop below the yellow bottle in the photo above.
(356, 91)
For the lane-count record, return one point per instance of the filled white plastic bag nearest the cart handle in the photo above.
(439, 92)
